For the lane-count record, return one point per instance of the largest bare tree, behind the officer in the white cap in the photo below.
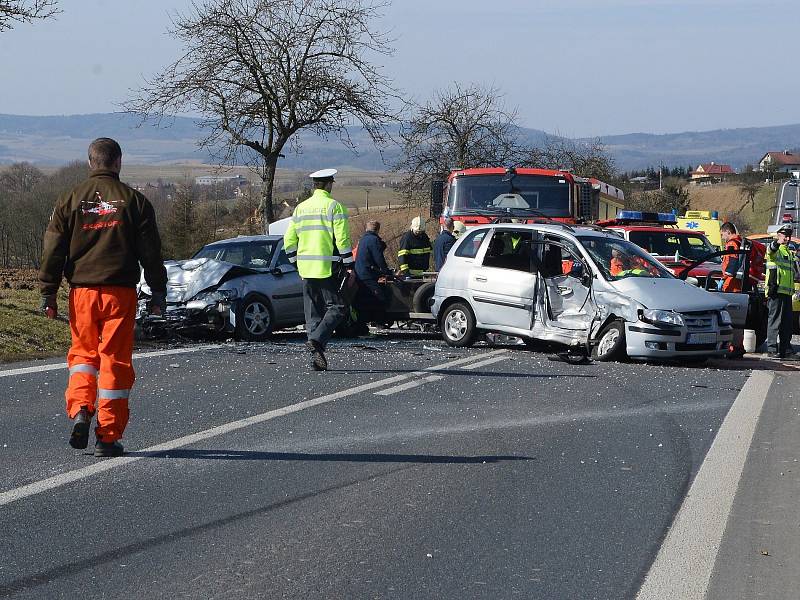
(260, 71)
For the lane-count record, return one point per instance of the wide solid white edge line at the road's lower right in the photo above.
(683, 566)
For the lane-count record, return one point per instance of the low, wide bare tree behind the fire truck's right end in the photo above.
(583, 158)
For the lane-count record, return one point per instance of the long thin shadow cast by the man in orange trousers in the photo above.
(327, 457)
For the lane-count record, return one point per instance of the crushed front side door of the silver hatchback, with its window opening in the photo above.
(566, 291)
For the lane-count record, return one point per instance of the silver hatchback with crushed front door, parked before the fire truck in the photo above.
(579, 286)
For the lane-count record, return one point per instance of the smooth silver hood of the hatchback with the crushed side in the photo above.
(668, 294)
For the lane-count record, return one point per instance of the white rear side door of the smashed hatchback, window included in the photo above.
(502, 284)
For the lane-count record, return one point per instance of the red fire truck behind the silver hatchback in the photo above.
(475, 196)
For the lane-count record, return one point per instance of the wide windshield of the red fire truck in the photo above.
(533, 195)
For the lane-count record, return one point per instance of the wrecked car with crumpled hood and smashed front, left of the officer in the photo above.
(244, 286)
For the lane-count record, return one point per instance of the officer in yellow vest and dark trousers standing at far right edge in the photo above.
(779, 289)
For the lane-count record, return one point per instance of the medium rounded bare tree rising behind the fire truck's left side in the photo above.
(460, 127)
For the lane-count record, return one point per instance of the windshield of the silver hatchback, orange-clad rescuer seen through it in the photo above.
(620, 259)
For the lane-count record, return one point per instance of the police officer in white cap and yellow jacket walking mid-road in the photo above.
(318, 241)
